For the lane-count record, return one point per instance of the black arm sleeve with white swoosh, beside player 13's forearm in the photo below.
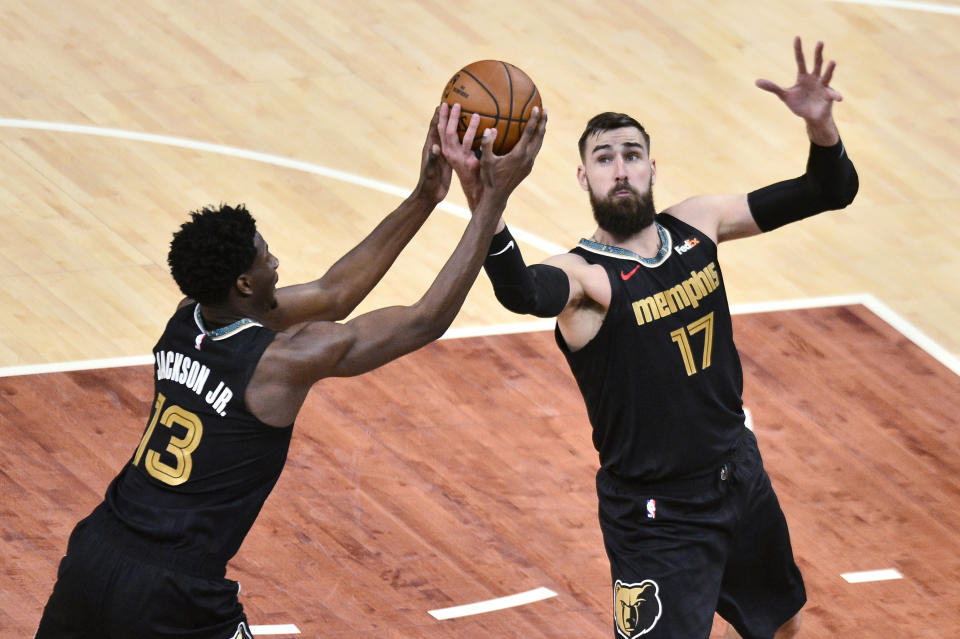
(540, 290)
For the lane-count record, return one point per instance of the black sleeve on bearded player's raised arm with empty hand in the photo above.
(830, 183)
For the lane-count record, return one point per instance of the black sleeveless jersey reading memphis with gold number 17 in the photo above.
(662, 379)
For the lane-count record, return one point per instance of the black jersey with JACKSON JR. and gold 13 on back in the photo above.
(205, 465)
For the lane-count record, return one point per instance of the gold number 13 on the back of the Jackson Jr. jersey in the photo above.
(181, 447)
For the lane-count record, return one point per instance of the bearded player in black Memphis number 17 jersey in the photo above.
(690, 522)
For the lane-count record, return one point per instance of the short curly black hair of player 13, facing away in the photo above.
(211, 250)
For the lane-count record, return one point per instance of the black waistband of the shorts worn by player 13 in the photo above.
(127, 542)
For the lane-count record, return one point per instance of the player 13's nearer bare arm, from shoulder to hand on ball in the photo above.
(305, 354)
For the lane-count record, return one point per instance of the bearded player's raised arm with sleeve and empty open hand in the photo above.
(829, 183)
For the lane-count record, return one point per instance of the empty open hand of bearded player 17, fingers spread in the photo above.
(811, 97)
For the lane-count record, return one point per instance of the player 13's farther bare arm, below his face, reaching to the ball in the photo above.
(338, 292)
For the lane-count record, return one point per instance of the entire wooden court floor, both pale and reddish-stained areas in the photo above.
(465, 471)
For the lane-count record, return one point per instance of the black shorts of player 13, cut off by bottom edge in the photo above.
(102, 593)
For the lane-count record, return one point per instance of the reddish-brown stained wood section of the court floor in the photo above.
(464, 472)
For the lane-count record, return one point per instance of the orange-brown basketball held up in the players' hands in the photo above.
(500, 93)
